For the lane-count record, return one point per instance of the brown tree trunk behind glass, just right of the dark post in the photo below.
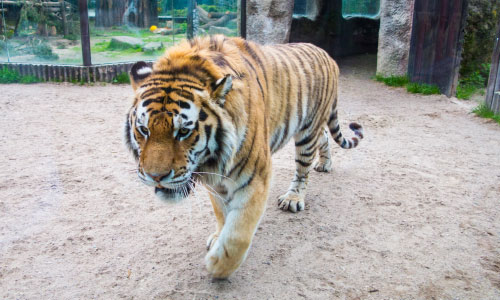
(109, 12)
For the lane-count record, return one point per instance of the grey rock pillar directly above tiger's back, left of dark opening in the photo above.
(269, 21)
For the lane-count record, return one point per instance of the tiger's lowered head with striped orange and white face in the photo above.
(177, 127)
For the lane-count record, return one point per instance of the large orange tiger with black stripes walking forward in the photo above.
(212, 110)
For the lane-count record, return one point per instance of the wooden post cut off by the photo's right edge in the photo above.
(492, 99)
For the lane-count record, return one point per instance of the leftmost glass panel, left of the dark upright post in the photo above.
(37, 31)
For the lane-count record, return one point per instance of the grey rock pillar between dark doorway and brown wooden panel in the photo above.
(396, 18)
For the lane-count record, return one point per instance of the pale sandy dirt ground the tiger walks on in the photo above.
(412, 213)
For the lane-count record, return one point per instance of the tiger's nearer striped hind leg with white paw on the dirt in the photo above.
(306, 146)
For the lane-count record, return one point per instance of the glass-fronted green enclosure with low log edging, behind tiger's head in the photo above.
(76, 40)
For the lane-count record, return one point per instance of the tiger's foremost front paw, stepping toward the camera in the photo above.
(220, 262)
